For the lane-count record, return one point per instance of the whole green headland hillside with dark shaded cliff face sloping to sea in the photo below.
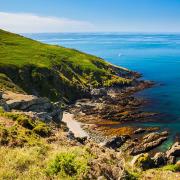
(54, 71)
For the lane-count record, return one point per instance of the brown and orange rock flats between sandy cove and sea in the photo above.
(109, 112)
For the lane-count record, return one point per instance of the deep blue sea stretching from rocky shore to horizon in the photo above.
(156, 56)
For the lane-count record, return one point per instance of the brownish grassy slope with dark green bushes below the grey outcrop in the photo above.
(19, 129)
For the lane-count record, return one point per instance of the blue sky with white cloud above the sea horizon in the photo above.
(90, 15)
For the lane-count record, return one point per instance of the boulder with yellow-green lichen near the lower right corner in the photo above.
(143, 161)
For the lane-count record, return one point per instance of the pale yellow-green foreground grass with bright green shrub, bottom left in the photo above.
(43, 162)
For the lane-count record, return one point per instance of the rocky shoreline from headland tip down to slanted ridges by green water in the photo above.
(107, 116)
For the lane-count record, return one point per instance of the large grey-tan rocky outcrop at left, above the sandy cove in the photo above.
(33, 106)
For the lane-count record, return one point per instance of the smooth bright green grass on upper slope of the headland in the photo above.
(20, 51)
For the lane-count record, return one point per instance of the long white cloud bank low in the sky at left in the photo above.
(31, 23)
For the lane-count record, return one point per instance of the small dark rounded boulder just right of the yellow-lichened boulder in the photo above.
(160, 159)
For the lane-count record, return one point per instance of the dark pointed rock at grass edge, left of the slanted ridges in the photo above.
(116, 142)
